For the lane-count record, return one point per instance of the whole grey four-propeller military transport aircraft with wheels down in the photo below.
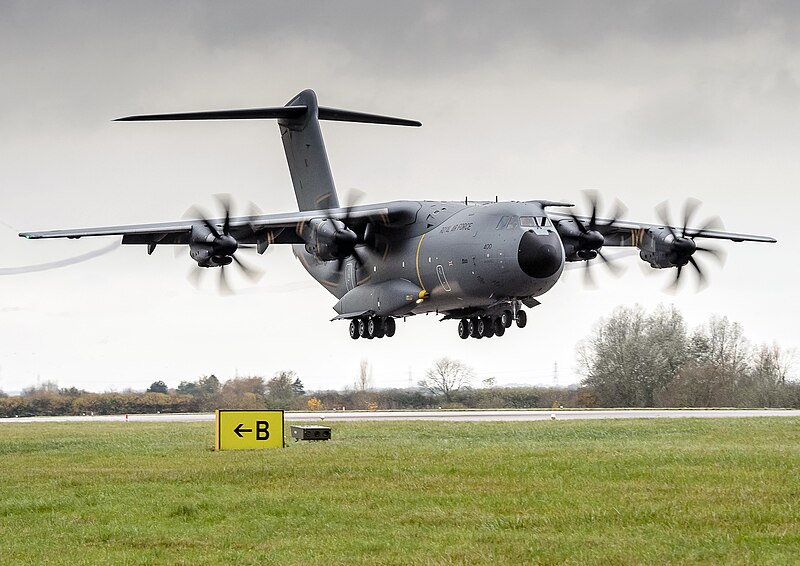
(477, 263)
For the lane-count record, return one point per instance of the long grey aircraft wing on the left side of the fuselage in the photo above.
(258, 229)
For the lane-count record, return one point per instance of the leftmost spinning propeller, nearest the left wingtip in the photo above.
(225, 245)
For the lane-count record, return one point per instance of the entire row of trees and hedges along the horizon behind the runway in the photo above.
(631, 358)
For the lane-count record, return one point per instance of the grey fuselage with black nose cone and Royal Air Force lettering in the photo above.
(465, 258)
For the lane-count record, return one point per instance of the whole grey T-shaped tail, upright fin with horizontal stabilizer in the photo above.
(302, 141)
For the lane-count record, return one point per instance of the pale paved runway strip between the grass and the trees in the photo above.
(485, 416)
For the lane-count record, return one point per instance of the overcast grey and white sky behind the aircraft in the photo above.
(644, 101)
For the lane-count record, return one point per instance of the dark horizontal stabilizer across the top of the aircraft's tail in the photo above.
(281, 112)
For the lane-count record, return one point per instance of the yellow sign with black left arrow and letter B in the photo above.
(248, 430)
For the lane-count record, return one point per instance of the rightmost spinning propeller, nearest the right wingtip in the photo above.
(683, 245)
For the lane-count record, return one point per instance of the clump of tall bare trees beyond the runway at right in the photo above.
(634, 358)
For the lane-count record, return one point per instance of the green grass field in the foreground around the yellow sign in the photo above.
(577, 492)
